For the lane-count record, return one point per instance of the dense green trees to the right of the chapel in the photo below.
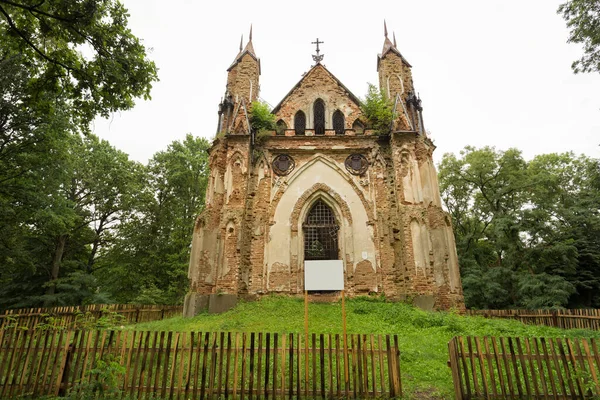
(526, 232)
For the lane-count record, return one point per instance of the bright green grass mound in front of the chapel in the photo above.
(423, 336)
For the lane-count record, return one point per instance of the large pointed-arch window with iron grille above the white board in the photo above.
(320, 233)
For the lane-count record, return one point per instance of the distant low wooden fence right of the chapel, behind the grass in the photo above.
(565, 319)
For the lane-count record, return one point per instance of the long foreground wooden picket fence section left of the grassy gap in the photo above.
(207, 365)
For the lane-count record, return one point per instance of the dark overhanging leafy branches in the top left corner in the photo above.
(81, 50)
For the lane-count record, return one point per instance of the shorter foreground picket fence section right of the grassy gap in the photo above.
(502, 368)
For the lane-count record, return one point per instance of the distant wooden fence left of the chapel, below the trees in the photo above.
(82, 316)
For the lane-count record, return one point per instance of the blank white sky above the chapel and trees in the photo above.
(493, 72)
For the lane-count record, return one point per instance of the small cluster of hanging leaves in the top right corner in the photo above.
(583, 20)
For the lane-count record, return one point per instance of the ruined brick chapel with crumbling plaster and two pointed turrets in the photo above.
(324, 185)
